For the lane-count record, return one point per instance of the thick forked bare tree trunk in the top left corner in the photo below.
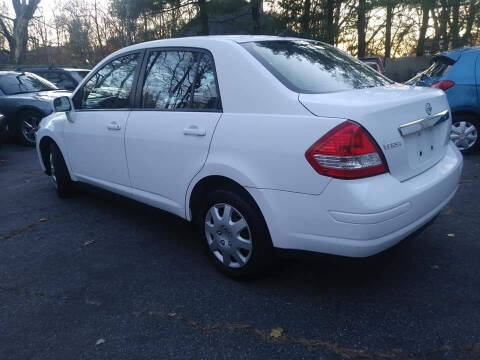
(17, 37)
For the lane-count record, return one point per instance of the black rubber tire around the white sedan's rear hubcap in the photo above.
(261, 255)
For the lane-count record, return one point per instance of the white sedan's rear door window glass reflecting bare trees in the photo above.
(177, 80)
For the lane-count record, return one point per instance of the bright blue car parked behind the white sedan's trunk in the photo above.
(457, 72)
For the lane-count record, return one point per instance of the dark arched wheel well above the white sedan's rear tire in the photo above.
(214, 182)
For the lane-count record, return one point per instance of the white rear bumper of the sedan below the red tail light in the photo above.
(361, 217)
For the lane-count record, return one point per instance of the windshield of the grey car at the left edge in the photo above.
(20, 83)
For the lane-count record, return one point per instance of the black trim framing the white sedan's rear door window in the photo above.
(141, 79)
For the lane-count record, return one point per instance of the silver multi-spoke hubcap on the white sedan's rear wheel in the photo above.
(228, 235)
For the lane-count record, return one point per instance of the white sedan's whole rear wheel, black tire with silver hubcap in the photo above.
(236, 237)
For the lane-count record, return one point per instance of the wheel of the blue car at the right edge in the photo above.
(465, 133)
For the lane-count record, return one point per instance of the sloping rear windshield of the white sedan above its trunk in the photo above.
(313, 67)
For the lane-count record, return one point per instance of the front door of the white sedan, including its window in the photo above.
(95, 133)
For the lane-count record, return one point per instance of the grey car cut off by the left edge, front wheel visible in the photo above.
(25, 99)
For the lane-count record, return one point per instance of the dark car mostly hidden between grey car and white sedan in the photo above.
(63, 77)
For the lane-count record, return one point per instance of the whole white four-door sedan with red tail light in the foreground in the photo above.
(263, 142)
